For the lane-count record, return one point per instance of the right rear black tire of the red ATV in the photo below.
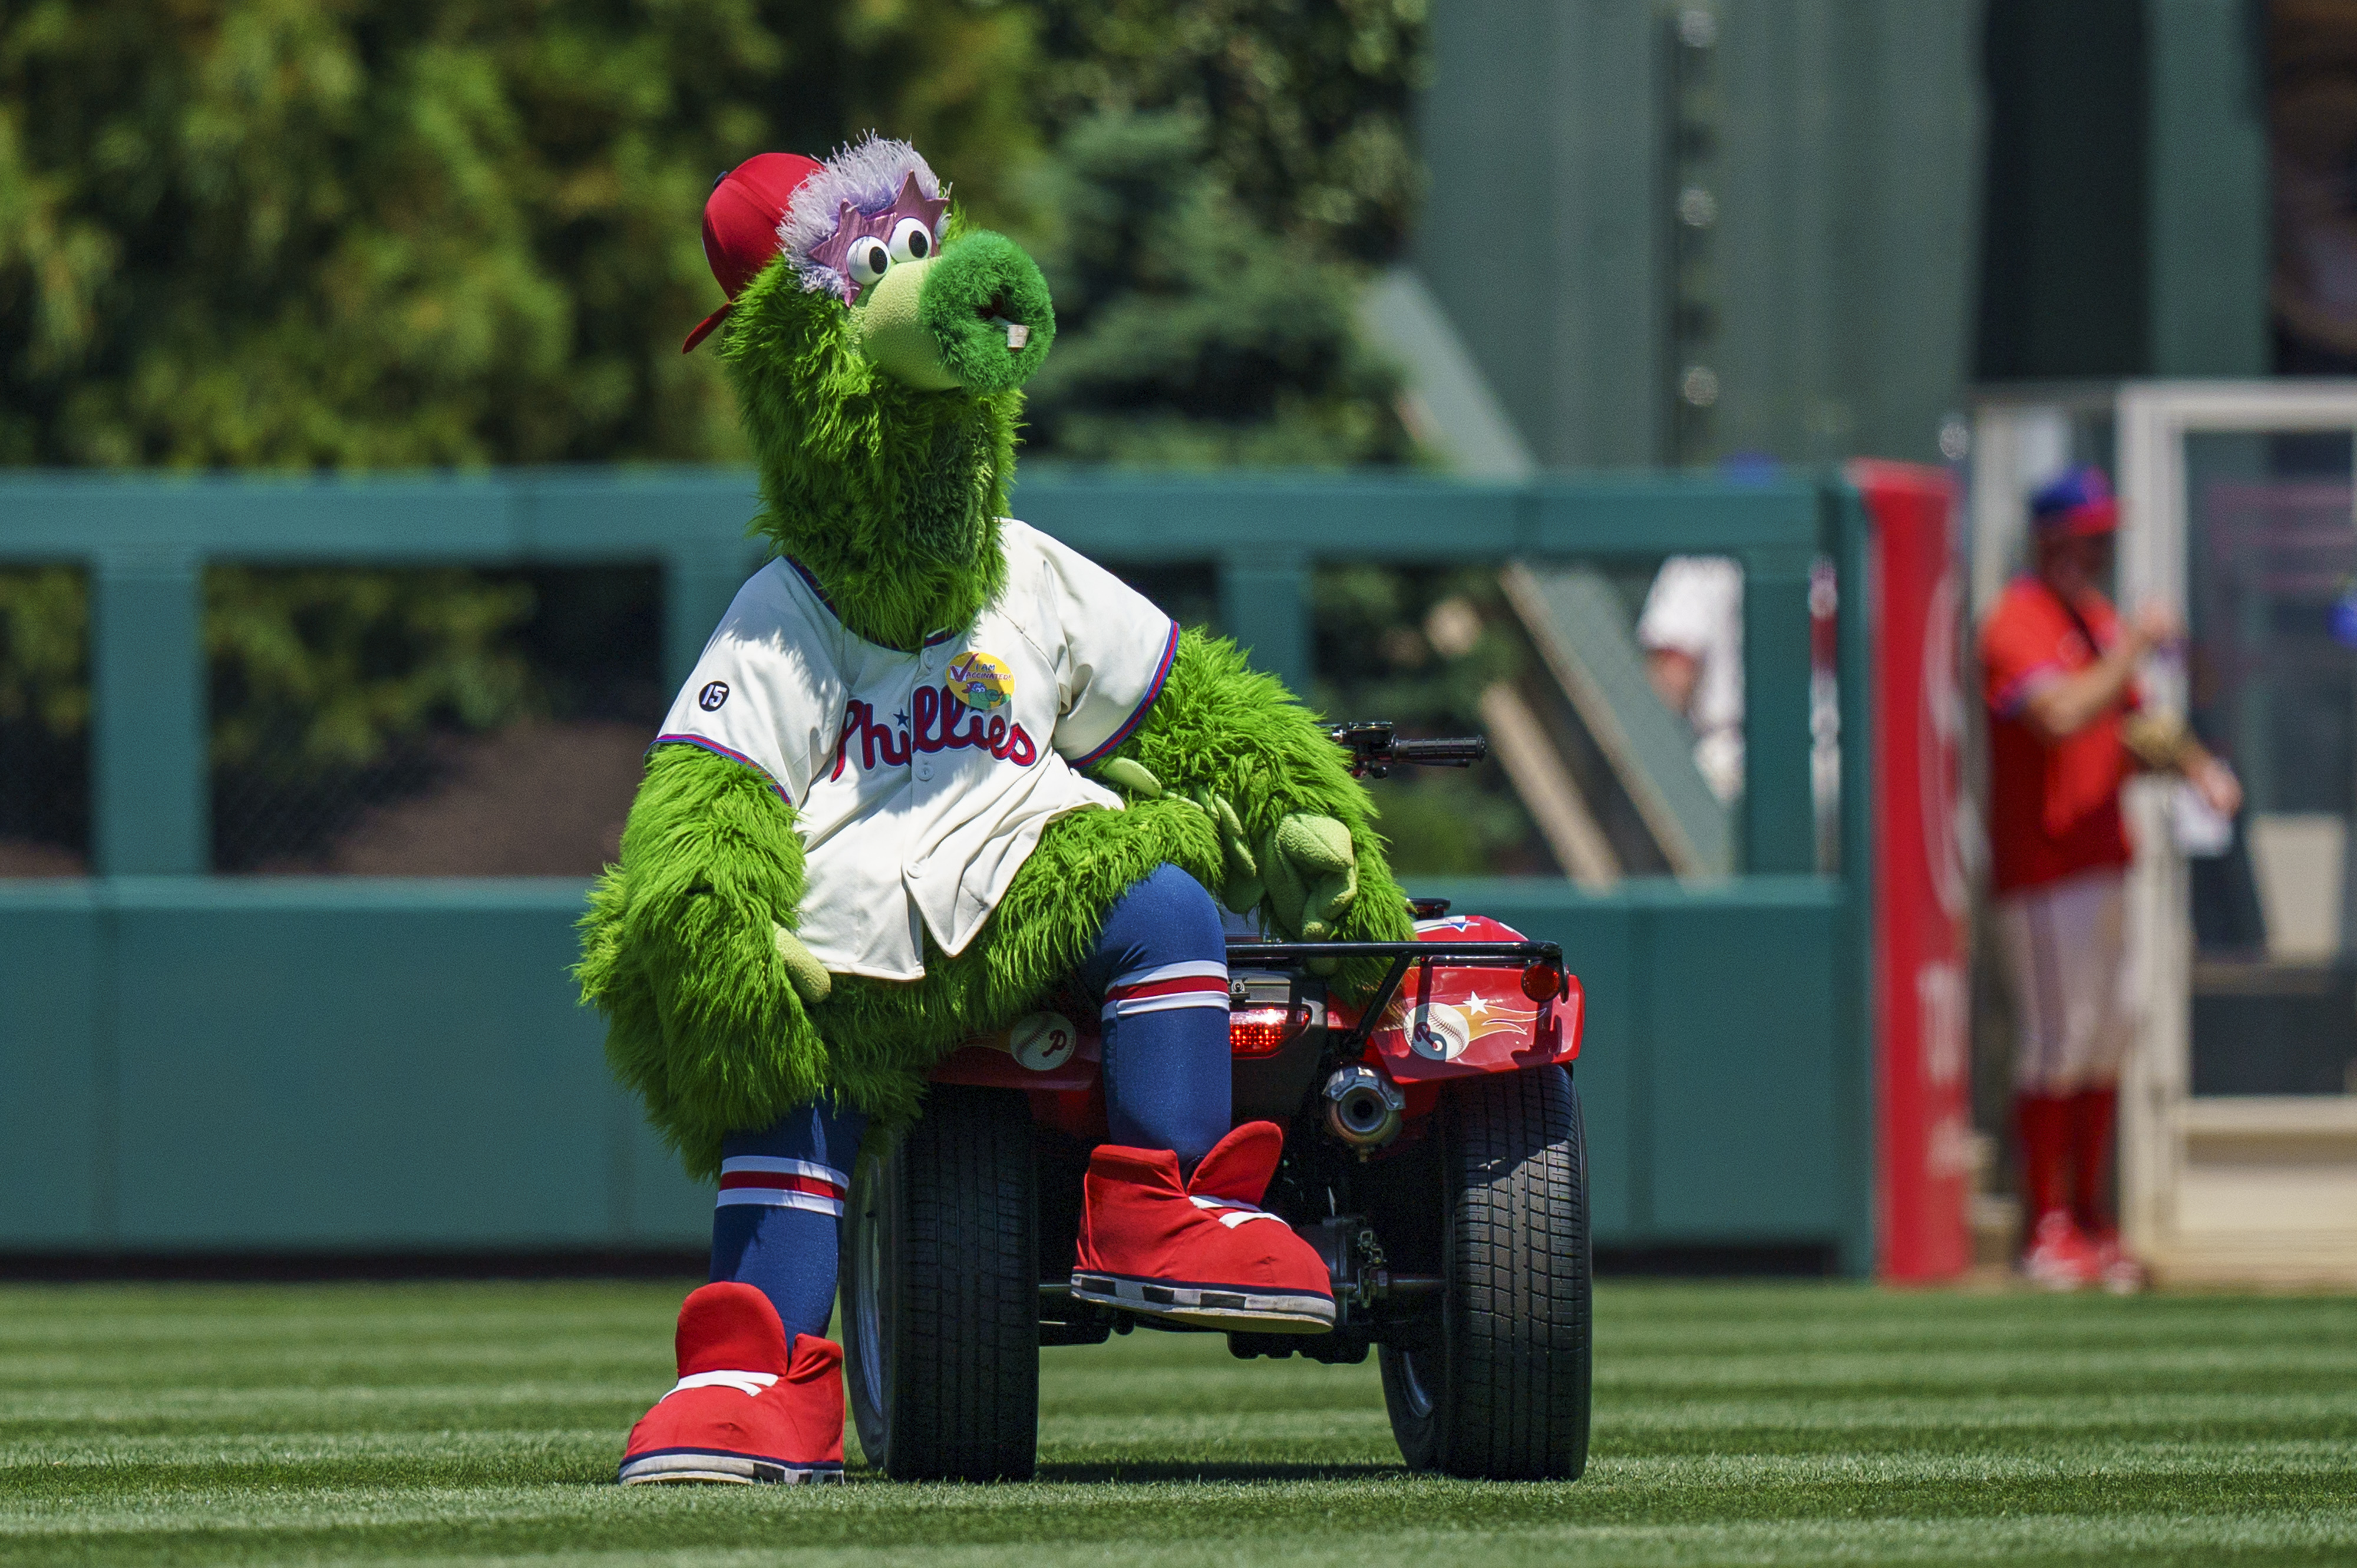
(1498, 1388)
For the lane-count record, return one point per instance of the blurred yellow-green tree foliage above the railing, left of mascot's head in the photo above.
(442, 232)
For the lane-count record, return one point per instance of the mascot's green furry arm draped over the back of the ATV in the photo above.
(1227, 730)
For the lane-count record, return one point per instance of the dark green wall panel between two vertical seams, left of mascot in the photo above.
(343, 1076)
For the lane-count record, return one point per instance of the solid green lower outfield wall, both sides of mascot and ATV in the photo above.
(348, 1065)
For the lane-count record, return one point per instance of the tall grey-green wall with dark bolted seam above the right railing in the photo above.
(1830, 294)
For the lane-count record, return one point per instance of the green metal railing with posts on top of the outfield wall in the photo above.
(147, 541)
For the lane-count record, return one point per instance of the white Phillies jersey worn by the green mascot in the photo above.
(923, 782)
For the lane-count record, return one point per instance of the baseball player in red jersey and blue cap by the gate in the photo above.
(2066, 732)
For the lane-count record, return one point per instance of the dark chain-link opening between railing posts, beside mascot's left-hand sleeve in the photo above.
(428, 723)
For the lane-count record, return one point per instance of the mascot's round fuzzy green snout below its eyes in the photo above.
(972, 317)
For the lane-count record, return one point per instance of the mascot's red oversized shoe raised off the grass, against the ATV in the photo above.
(1199, 1253)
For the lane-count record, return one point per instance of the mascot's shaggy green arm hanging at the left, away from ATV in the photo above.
(680, 951)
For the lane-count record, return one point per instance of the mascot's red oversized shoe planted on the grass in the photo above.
(746, 1409)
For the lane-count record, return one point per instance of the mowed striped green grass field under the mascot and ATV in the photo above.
(1734, 1425)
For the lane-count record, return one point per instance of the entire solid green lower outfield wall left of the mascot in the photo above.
(315, 1065)
